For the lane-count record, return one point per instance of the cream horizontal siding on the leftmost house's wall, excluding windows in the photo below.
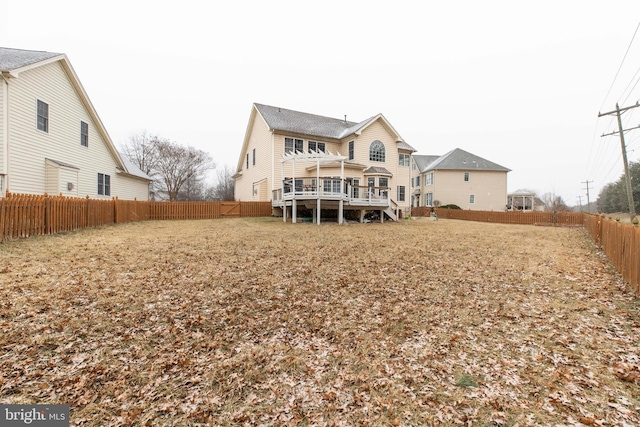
(30, 146)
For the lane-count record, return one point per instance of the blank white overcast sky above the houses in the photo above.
(517, 83)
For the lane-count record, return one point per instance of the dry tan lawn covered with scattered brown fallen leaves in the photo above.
(256, 322)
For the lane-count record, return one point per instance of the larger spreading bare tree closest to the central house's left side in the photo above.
(177, 165)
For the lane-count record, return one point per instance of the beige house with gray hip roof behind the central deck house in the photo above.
(459, 178)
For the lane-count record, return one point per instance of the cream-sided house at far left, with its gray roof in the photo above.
(51, 138)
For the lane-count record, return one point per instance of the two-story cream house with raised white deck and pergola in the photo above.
(304, 161)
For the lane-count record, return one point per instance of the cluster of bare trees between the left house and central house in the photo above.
(178, 172)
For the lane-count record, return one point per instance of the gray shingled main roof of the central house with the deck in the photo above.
(292, 121)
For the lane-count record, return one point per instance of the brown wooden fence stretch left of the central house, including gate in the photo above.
(23, 215)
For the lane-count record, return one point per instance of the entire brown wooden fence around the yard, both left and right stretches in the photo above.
(31, 215)
